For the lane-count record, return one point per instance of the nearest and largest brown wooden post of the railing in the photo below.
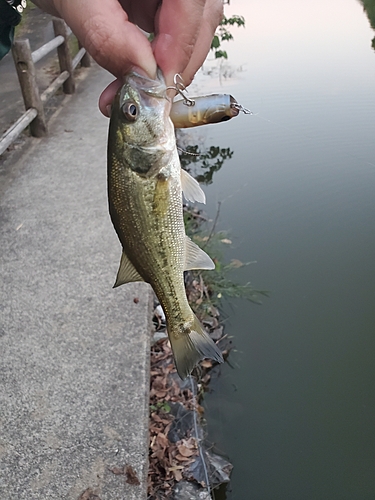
(30, 92)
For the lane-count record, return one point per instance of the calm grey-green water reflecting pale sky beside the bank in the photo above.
(295, 412)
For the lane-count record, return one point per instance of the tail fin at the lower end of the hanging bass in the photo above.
(190, 348)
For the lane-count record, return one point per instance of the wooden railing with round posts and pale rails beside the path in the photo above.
(25, 61)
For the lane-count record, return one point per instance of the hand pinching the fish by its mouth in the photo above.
(107, 29)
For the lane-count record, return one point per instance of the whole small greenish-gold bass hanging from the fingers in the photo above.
(145, 186)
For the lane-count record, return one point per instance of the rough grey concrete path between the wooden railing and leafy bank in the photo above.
(74, 353)
